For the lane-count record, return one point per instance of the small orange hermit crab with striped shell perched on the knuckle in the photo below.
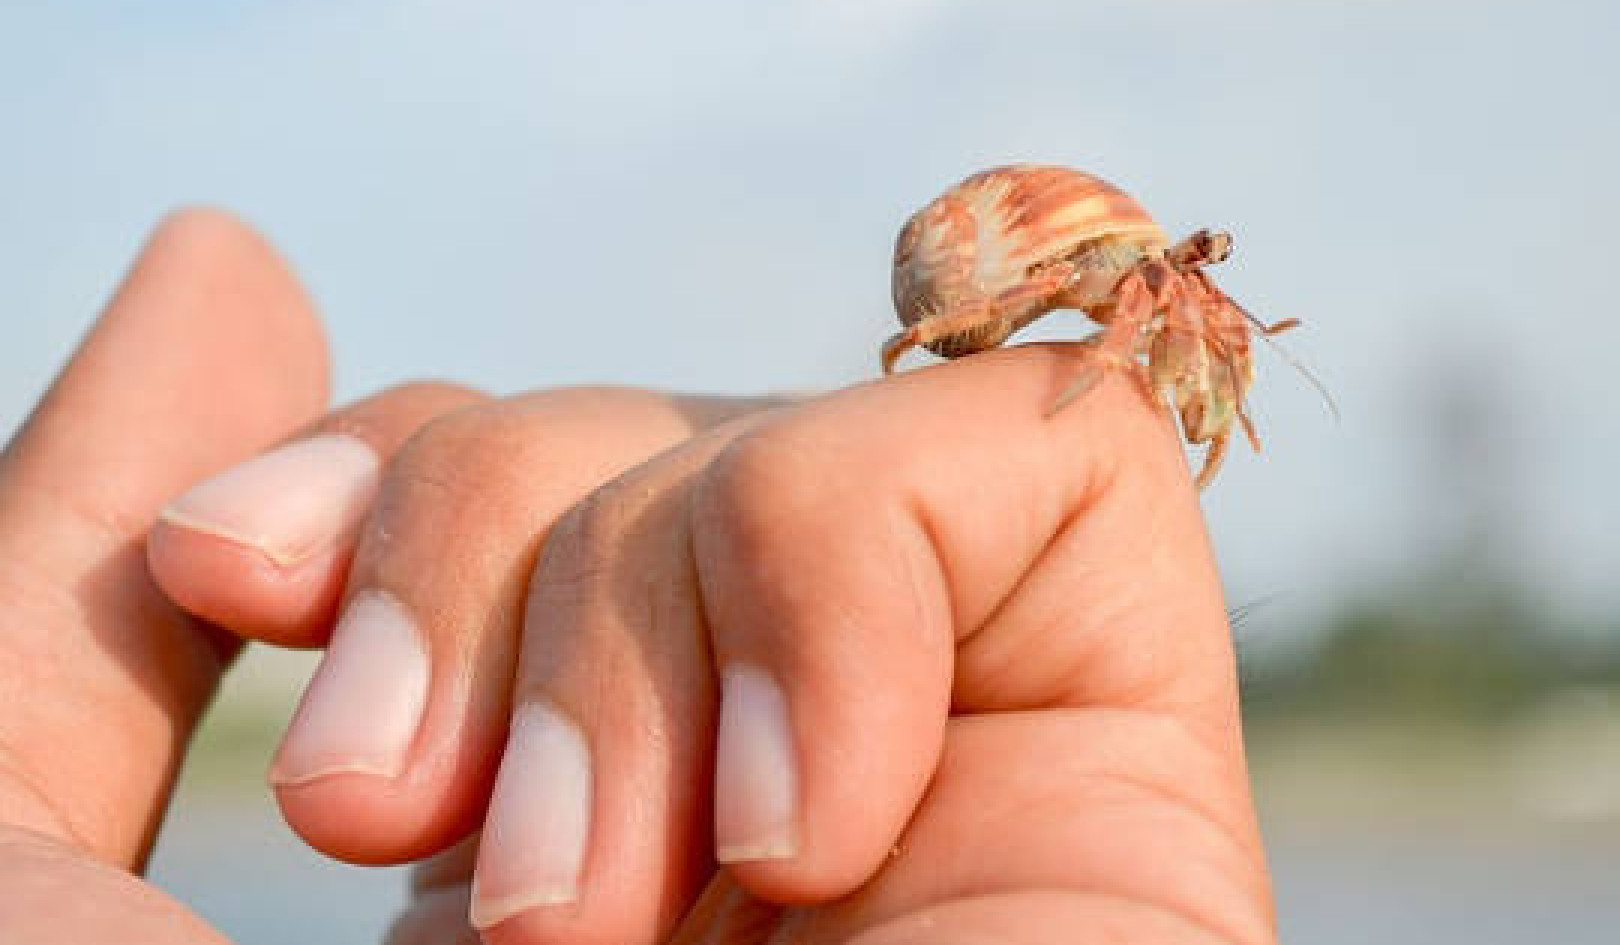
(1012, 244)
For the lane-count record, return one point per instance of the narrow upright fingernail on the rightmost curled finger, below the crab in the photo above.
(756, 776)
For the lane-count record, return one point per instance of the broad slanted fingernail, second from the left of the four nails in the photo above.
(364, 706)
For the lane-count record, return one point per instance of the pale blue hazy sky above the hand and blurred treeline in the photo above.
(704, 195)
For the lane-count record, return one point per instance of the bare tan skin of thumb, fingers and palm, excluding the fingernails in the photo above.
(1010, 626)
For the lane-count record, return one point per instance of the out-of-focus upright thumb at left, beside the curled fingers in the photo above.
(208, 353)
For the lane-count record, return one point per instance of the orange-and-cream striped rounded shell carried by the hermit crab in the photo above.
(981, 241)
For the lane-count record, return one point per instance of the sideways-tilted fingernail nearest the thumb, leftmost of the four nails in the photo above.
(288, 503)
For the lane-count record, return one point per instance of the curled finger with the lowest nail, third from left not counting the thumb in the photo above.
(597, 829)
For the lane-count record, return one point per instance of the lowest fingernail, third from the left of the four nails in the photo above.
(539, 824)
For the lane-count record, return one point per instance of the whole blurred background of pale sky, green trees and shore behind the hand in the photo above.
(704, 195)
